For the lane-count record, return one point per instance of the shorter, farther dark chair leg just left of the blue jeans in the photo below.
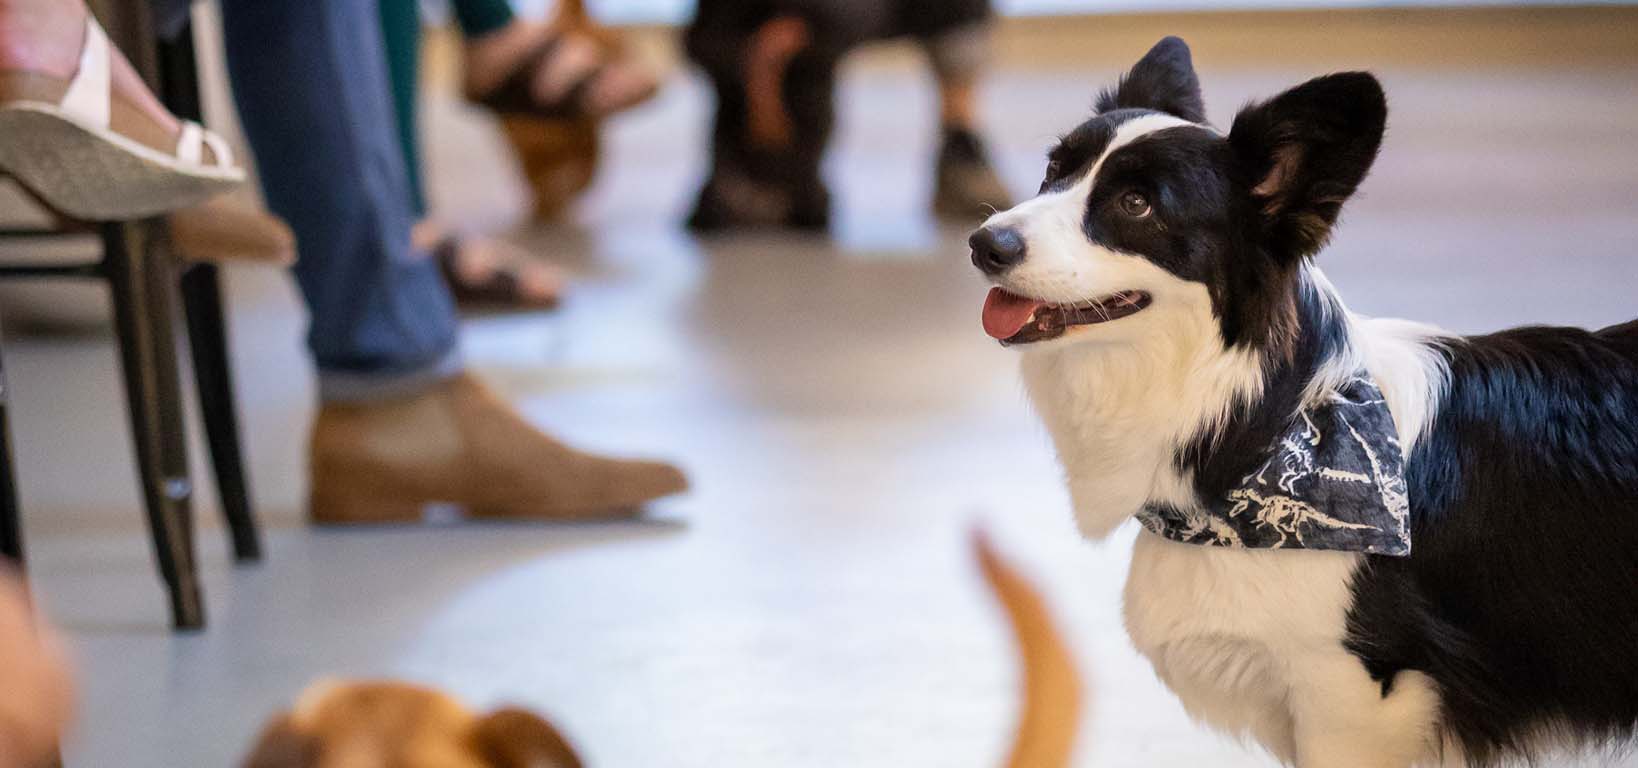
(214, 379)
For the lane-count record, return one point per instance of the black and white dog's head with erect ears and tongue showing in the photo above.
(1147, 212)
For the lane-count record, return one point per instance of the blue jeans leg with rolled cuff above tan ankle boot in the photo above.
(310, 79)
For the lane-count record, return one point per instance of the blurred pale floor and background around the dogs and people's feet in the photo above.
(844, 418)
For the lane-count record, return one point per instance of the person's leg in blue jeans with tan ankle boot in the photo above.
(400, 423)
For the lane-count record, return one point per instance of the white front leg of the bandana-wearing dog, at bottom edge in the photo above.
(1344, 721)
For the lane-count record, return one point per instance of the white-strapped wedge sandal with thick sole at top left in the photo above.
(89, 155)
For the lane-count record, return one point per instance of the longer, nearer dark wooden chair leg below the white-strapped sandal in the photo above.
(143, 278)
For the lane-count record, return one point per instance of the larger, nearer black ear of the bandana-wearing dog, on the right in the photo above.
(1306, 153)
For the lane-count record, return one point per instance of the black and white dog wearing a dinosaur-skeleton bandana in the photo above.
(1365, 543)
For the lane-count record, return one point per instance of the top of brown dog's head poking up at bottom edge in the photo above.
(400, 726)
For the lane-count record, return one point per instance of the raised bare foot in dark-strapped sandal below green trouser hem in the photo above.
(618, 84)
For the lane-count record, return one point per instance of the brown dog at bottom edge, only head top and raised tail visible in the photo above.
(404, 726)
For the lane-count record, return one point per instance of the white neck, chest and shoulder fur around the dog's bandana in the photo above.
(1249, 639)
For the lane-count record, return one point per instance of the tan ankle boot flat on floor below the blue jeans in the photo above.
(384, 463)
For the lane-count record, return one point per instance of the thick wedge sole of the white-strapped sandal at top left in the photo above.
(96, 174)
